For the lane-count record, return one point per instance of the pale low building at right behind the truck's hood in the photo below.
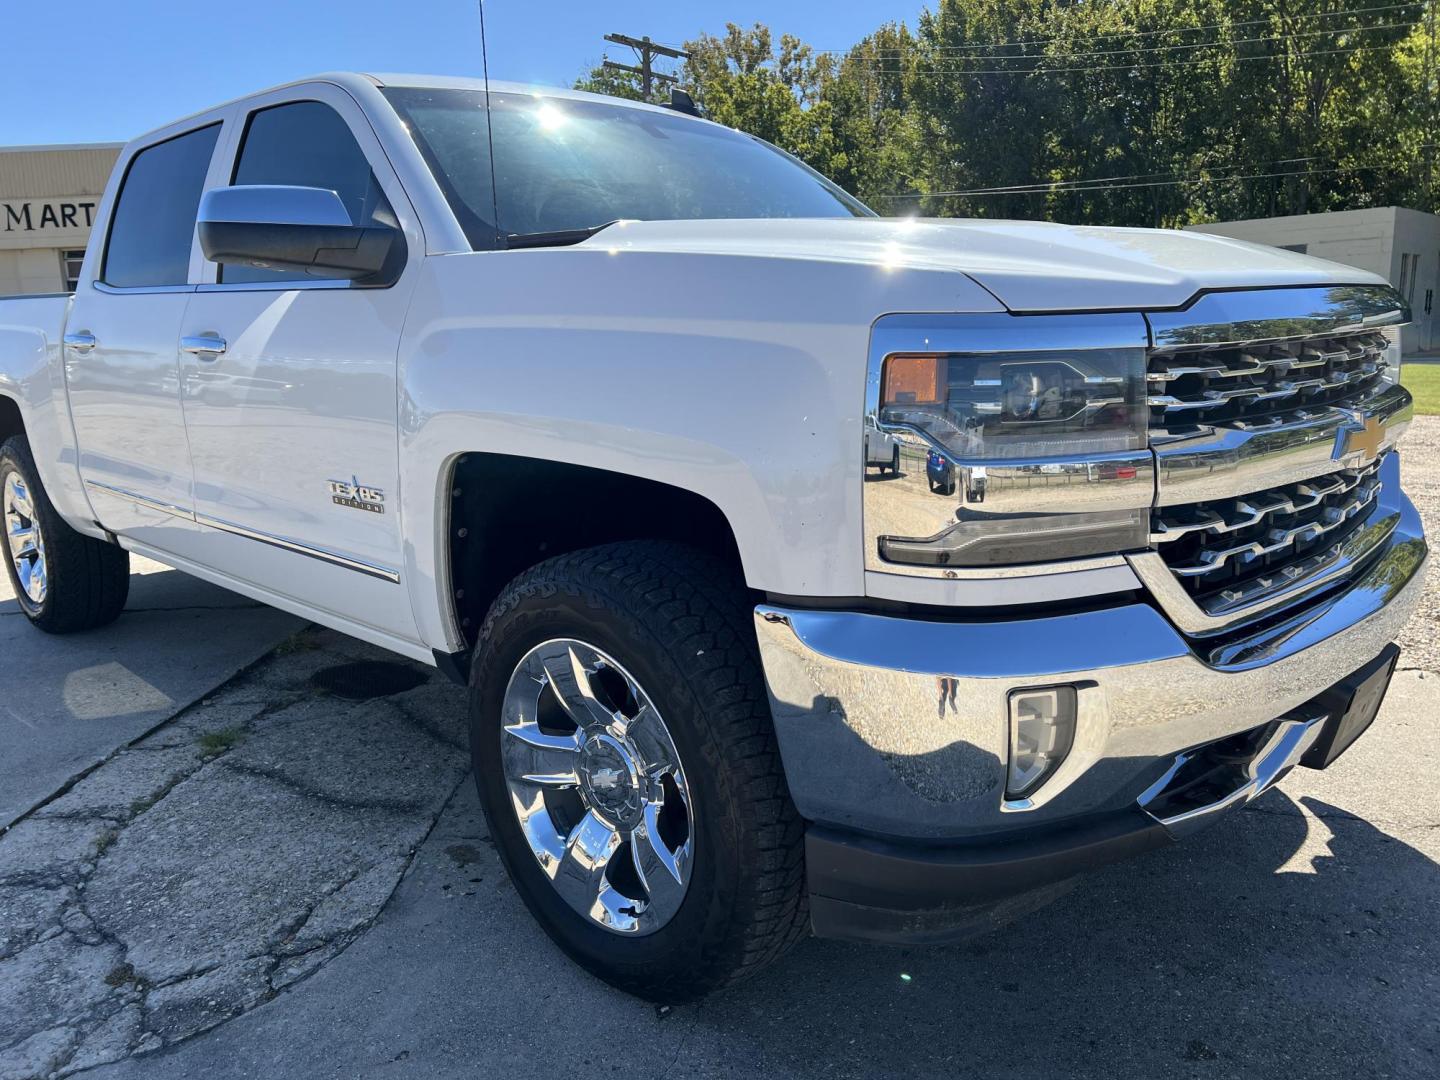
(1400, 246)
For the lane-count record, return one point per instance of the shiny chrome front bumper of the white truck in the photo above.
(898, 728)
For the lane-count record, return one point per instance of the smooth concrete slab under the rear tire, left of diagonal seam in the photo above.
(67, 703)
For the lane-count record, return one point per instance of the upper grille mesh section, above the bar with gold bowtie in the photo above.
(1262, 384)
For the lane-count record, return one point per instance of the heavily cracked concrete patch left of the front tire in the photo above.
(172, 889)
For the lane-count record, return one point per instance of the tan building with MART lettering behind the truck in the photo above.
(48, 202)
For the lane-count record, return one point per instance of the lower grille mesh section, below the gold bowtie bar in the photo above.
(1232, 552)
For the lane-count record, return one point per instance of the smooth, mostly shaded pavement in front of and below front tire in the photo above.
(1297, 940)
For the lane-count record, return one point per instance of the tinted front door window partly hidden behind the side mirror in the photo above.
(307, 145)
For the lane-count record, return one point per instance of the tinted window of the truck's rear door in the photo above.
(153, 225)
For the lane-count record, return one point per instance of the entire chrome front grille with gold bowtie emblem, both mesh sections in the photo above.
(1274, 417)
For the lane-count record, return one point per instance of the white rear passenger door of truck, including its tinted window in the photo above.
(122, 361)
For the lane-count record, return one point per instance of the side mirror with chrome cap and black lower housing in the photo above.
(303, 230)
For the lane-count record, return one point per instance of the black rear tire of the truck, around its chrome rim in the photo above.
(89, 581)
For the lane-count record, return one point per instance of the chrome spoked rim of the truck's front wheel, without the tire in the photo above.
(597, 786)
